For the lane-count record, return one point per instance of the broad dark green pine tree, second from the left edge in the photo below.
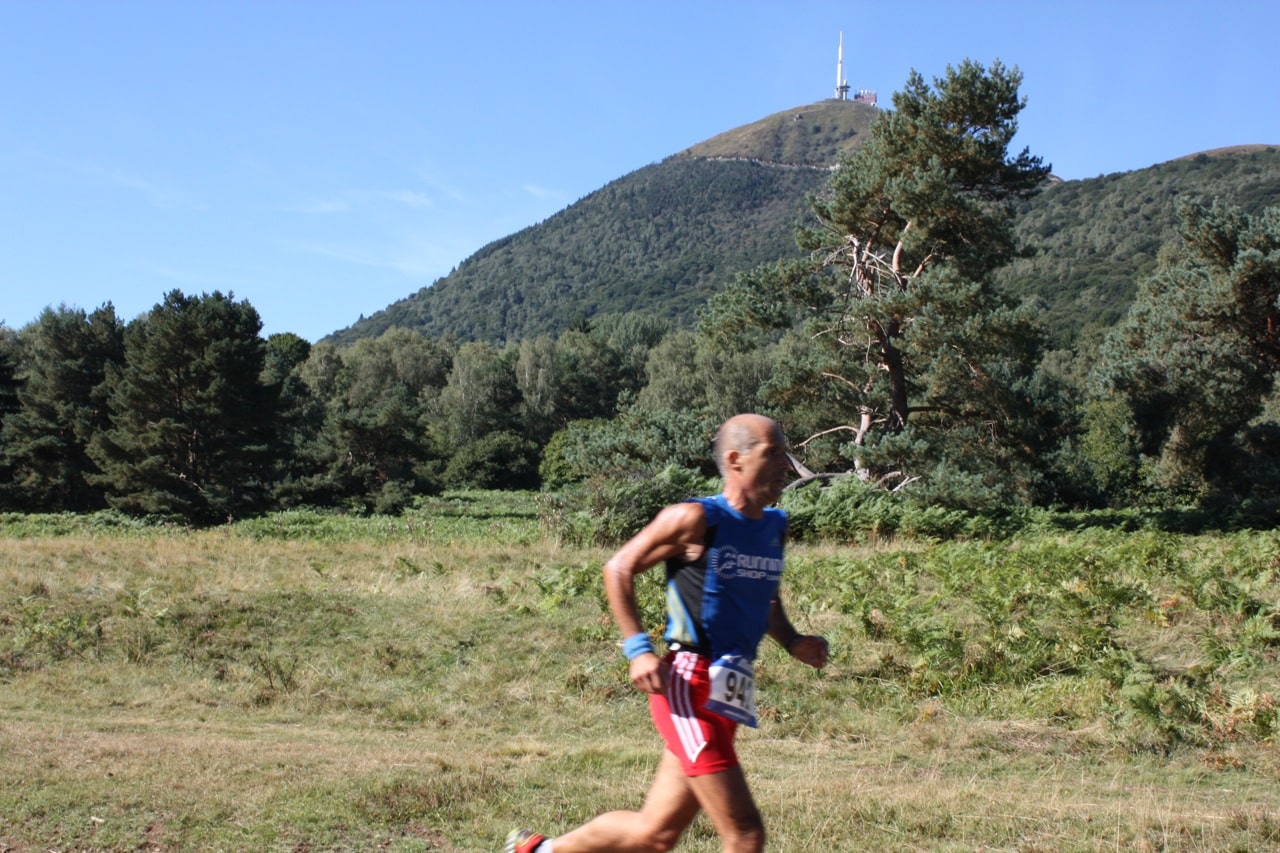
(193, 423)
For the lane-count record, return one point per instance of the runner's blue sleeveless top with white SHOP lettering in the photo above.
(720, 604)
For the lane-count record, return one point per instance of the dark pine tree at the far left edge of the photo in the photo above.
(63, 405)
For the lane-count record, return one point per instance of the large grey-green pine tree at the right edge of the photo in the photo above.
(1197, 355)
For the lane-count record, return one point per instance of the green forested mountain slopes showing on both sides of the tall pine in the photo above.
(665, 238)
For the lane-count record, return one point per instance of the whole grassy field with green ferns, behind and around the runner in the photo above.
(426, 683)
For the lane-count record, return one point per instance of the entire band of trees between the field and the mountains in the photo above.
(884, 346)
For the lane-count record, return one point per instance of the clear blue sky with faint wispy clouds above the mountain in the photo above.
(324, 159)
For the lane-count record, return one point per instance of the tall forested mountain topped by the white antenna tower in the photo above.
(657, 241)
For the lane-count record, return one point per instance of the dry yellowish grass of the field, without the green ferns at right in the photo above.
(450, 685)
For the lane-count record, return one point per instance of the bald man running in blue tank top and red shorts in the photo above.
(724, 559)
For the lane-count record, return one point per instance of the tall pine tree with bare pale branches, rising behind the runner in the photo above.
(908, 350)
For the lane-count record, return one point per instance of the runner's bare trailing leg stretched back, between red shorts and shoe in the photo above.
(668, 810)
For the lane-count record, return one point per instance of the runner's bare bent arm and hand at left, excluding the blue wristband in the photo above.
(678, 531)
